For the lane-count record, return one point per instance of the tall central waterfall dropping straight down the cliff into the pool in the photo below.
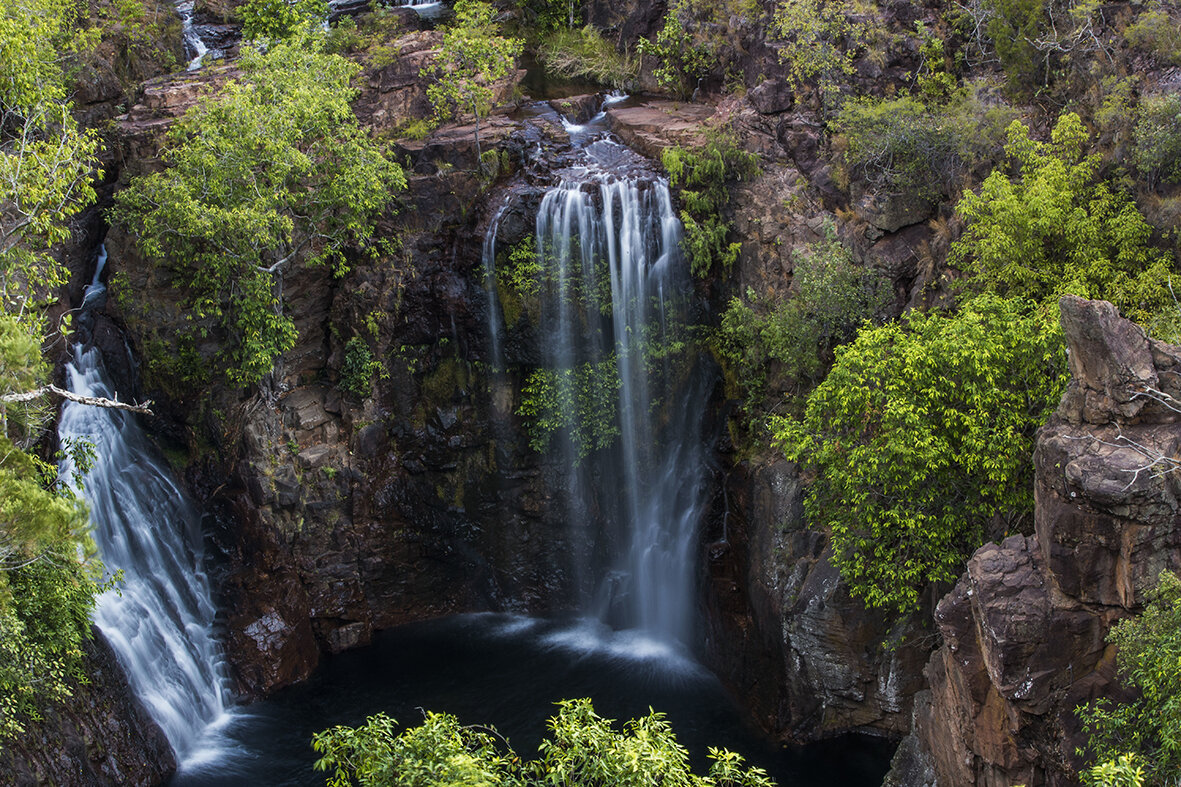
(615, 295)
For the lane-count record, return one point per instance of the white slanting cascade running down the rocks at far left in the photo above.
(160, 619)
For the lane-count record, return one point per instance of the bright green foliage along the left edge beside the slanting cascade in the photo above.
(48, 574)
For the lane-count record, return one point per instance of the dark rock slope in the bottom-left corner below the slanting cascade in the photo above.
(101, 736)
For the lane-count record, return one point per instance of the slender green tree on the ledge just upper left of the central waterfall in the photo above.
(473, 57)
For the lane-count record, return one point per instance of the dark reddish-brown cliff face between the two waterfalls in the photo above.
(341, 515)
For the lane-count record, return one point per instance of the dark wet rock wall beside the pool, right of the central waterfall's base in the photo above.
(811, 660)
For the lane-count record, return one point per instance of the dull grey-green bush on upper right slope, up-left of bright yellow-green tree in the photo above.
(905, 146)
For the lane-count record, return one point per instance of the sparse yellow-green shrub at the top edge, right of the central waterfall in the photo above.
(820, 41)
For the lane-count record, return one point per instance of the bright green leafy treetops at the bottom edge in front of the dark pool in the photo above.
(583, 750)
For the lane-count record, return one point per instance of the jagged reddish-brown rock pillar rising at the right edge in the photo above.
(1025, 629)
